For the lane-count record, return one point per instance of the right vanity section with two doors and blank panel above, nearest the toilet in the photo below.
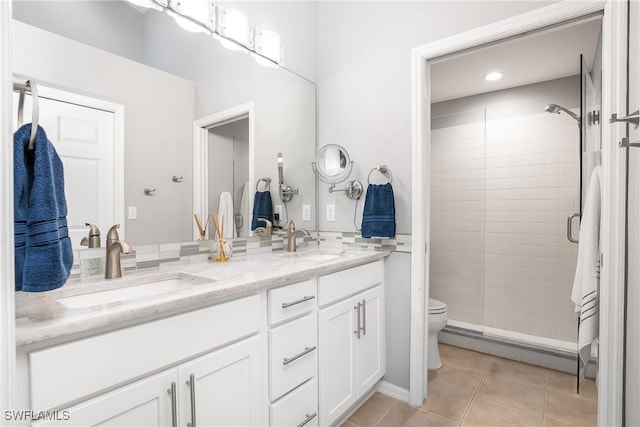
(351, 337)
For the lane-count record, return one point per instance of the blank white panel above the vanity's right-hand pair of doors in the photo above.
(341, 284)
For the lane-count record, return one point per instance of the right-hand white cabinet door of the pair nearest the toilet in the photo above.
(370, 345)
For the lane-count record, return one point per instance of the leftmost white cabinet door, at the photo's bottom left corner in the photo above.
(144, 403)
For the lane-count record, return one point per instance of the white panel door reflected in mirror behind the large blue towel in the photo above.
(84, 138)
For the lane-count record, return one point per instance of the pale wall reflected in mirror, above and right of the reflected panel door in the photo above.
(158, 124)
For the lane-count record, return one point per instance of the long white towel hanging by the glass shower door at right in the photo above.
(586, 285)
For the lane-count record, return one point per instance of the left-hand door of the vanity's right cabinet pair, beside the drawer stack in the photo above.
(336, 326)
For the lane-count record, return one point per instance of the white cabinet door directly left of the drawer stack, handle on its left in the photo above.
(227, 385)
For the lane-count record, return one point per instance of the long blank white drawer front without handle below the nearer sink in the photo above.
(70, 371)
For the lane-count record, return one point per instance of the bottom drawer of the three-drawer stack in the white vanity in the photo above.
(297, 407)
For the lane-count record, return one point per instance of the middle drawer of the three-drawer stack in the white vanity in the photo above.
(293, 355)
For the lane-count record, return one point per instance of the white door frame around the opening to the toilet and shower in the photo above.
(612, 298)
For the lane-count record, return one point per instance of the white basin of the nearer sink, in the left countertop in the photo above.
(146, 288)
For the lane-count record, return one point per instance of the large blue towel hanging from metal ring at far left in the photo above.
(43, 254)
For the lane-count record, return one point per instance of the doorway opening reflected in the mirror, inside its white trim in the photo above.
(229, 172)
